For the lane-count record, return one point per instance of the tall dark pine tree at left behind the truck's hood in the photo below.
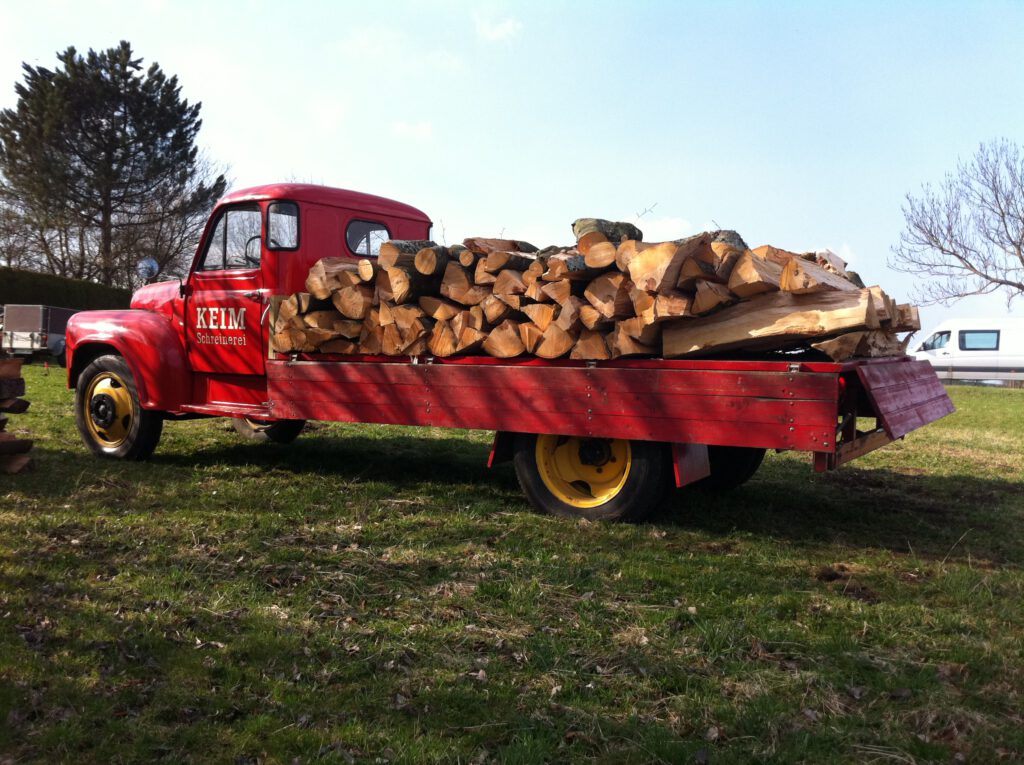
(100, 164)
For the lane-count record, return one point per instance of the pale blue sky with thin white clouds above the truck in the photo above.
(803, 125)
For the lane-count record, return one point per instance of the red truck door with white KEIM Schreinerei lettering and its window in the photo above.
(225, 308)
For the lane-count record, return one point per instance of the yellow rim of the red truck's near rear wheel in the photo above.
(583, 473)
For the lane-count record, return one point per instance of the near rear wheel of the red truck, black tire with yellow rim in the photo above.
(593, 479)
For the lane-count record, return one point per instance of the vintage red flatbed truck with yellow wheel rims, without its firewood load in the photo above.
(594, 440)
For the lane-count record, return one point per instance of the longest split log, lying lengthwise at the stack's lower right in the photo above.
(772, 321)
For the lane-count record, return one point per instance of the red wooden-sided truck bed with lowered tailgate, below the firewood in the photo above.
(771, 405)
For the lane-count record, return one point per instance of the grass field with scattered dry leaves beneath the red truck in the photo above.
(374, 594)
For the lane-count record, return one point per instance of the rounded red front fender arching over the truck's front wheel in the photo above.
(150, 345)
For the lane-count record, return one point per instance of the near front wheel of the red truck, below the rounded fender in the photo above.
(109, 415)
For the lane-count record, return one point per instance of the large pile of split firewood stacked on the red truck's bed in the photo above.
(612, 295)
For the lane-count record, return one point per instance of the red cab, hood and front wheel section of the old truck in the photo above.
(199, 346)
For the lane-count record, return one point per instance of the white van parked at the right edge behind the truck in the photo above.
(976, 350)
